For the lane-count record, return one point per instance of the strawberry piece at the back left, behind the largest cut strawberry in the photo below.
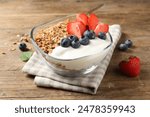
(82, 18)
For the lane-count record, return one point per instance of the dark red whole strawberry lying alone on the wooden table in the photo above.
(131, 67)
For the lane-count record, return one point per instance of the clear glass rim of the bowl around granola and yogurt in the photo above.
(53, 21)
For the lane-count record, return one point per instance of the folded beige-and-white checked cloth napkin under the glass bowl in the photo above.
(45, 77)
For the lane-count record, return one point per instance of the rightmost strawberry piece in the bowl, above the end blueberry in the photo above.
(101, 28)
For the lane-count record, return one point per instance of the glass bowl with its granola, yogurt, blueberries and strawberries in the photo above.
(73, 45)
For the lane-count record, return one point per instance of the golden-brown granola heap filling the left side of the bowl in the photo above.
(49, 38)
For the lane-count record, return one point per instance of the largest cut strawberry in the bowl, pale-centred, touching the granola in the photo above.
(76, 28)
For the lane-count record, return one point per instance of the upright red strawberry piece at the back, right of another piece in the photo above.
(92, 21)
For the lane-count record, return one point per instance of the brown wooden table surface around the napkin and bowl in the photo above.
(19, 16)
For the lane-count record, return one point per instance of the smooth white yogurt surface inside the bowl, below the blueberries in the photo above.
(95, 46)
